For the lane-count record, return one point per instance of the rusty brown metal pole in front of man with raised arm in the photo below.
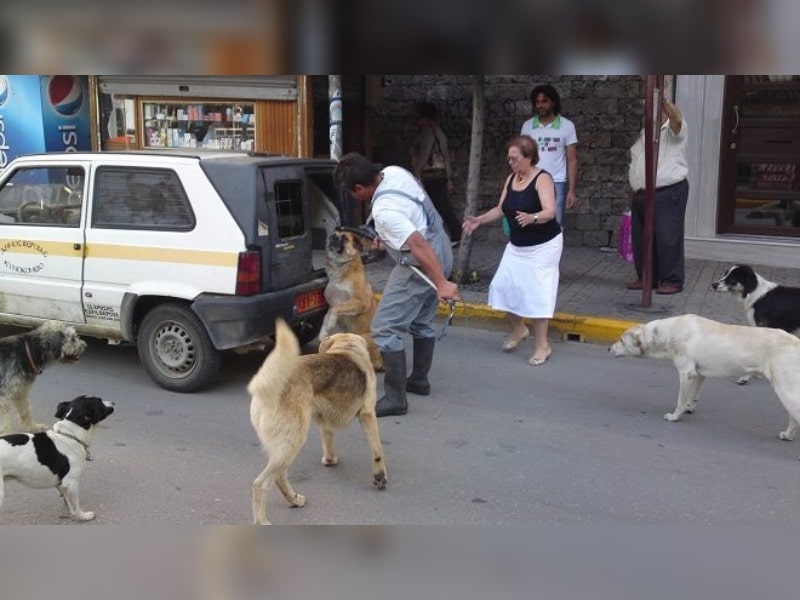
(652, 134)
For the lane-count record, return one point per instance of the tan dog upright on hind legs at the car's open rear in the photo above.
(348, 293)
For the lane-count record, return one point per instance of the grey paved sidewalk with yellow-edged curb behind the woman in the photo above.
(593, 303)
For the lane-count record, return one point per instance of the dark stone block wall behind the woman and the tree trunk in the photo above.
(607, 112)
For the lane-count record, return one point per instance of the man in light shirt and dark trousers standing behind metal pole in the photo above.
(671, 195)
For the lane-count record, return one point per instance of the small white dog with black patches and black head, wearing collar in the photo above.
(56, 457)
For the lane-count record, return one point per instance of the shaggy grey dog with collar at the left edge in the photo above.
(22, 358)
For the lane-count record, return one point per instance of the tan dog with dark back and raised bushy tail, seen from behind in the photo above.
(289, 390)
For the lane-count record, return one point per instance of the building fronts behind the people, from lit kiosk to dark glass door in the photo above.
(743, 138)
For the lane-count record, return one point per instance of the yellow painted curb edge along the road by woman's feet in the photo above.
(596, 330)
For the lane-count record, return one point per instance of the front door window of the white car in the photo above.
(43, 196)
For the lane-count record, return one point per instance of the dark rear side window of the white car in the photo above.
(141, 199)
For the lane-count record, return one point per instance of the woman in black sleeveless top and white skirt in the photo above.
(525, 285)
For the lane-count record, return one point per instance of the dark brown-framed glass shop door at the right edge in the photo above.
(760, 158)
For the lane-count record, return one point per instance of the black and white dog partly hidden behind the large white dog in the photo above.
(766, 303)
